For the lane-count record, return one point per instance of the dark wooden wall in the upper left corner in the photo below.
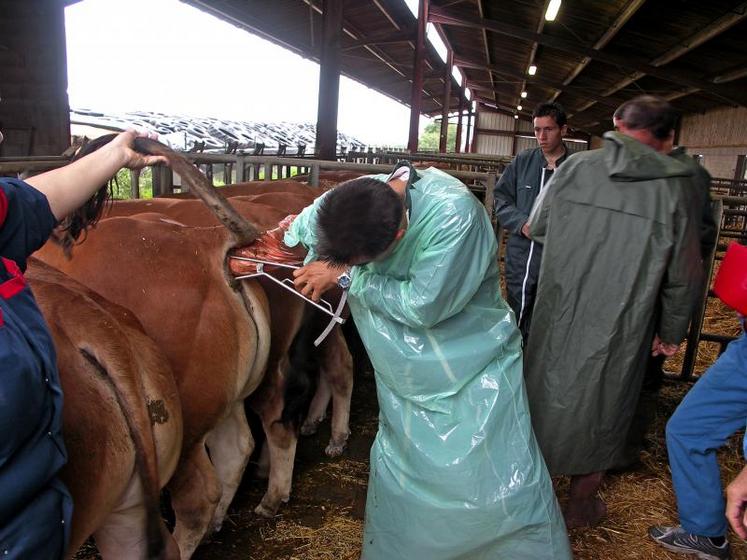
(34, 110)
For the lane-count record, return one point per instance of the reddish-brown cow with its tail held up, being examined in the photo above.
(214, 333)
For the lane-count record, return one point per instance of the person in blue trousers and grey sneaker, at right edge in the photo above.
(713, 410)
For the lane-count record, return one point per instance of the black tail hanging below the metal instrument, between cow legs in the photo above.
(302, 372)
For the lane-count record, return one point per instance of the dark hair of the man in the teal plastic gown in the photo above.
(359, 219)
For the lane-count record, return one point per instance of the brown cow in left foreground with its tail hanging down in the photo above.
(121, 420)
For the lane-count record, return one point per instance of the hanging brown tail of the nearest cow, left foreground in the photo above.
(124, 379)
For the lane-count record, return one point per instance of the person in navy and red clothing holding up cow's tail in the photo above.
(35, 506)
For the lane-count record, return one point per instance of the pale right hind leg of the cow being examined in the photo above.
(230, 445)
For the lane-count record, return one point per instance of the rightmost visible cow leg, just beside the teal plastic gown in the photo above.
(337, 370)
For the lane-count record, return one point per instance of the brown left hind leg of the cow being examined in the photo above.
(195, 493)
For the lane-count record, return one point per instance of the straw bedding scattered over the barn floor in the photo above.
(324, 519)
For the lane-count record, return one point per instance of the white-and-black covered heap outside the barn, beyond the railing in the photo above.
(184, 132)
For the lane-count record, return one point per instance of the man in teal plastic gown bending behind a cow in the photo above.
(455, 470)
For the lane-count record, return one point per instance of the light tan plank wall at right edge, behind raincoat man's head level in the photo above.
(720, 135)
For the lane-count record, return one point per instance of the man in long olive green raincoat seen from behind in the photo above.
(621, 241)
